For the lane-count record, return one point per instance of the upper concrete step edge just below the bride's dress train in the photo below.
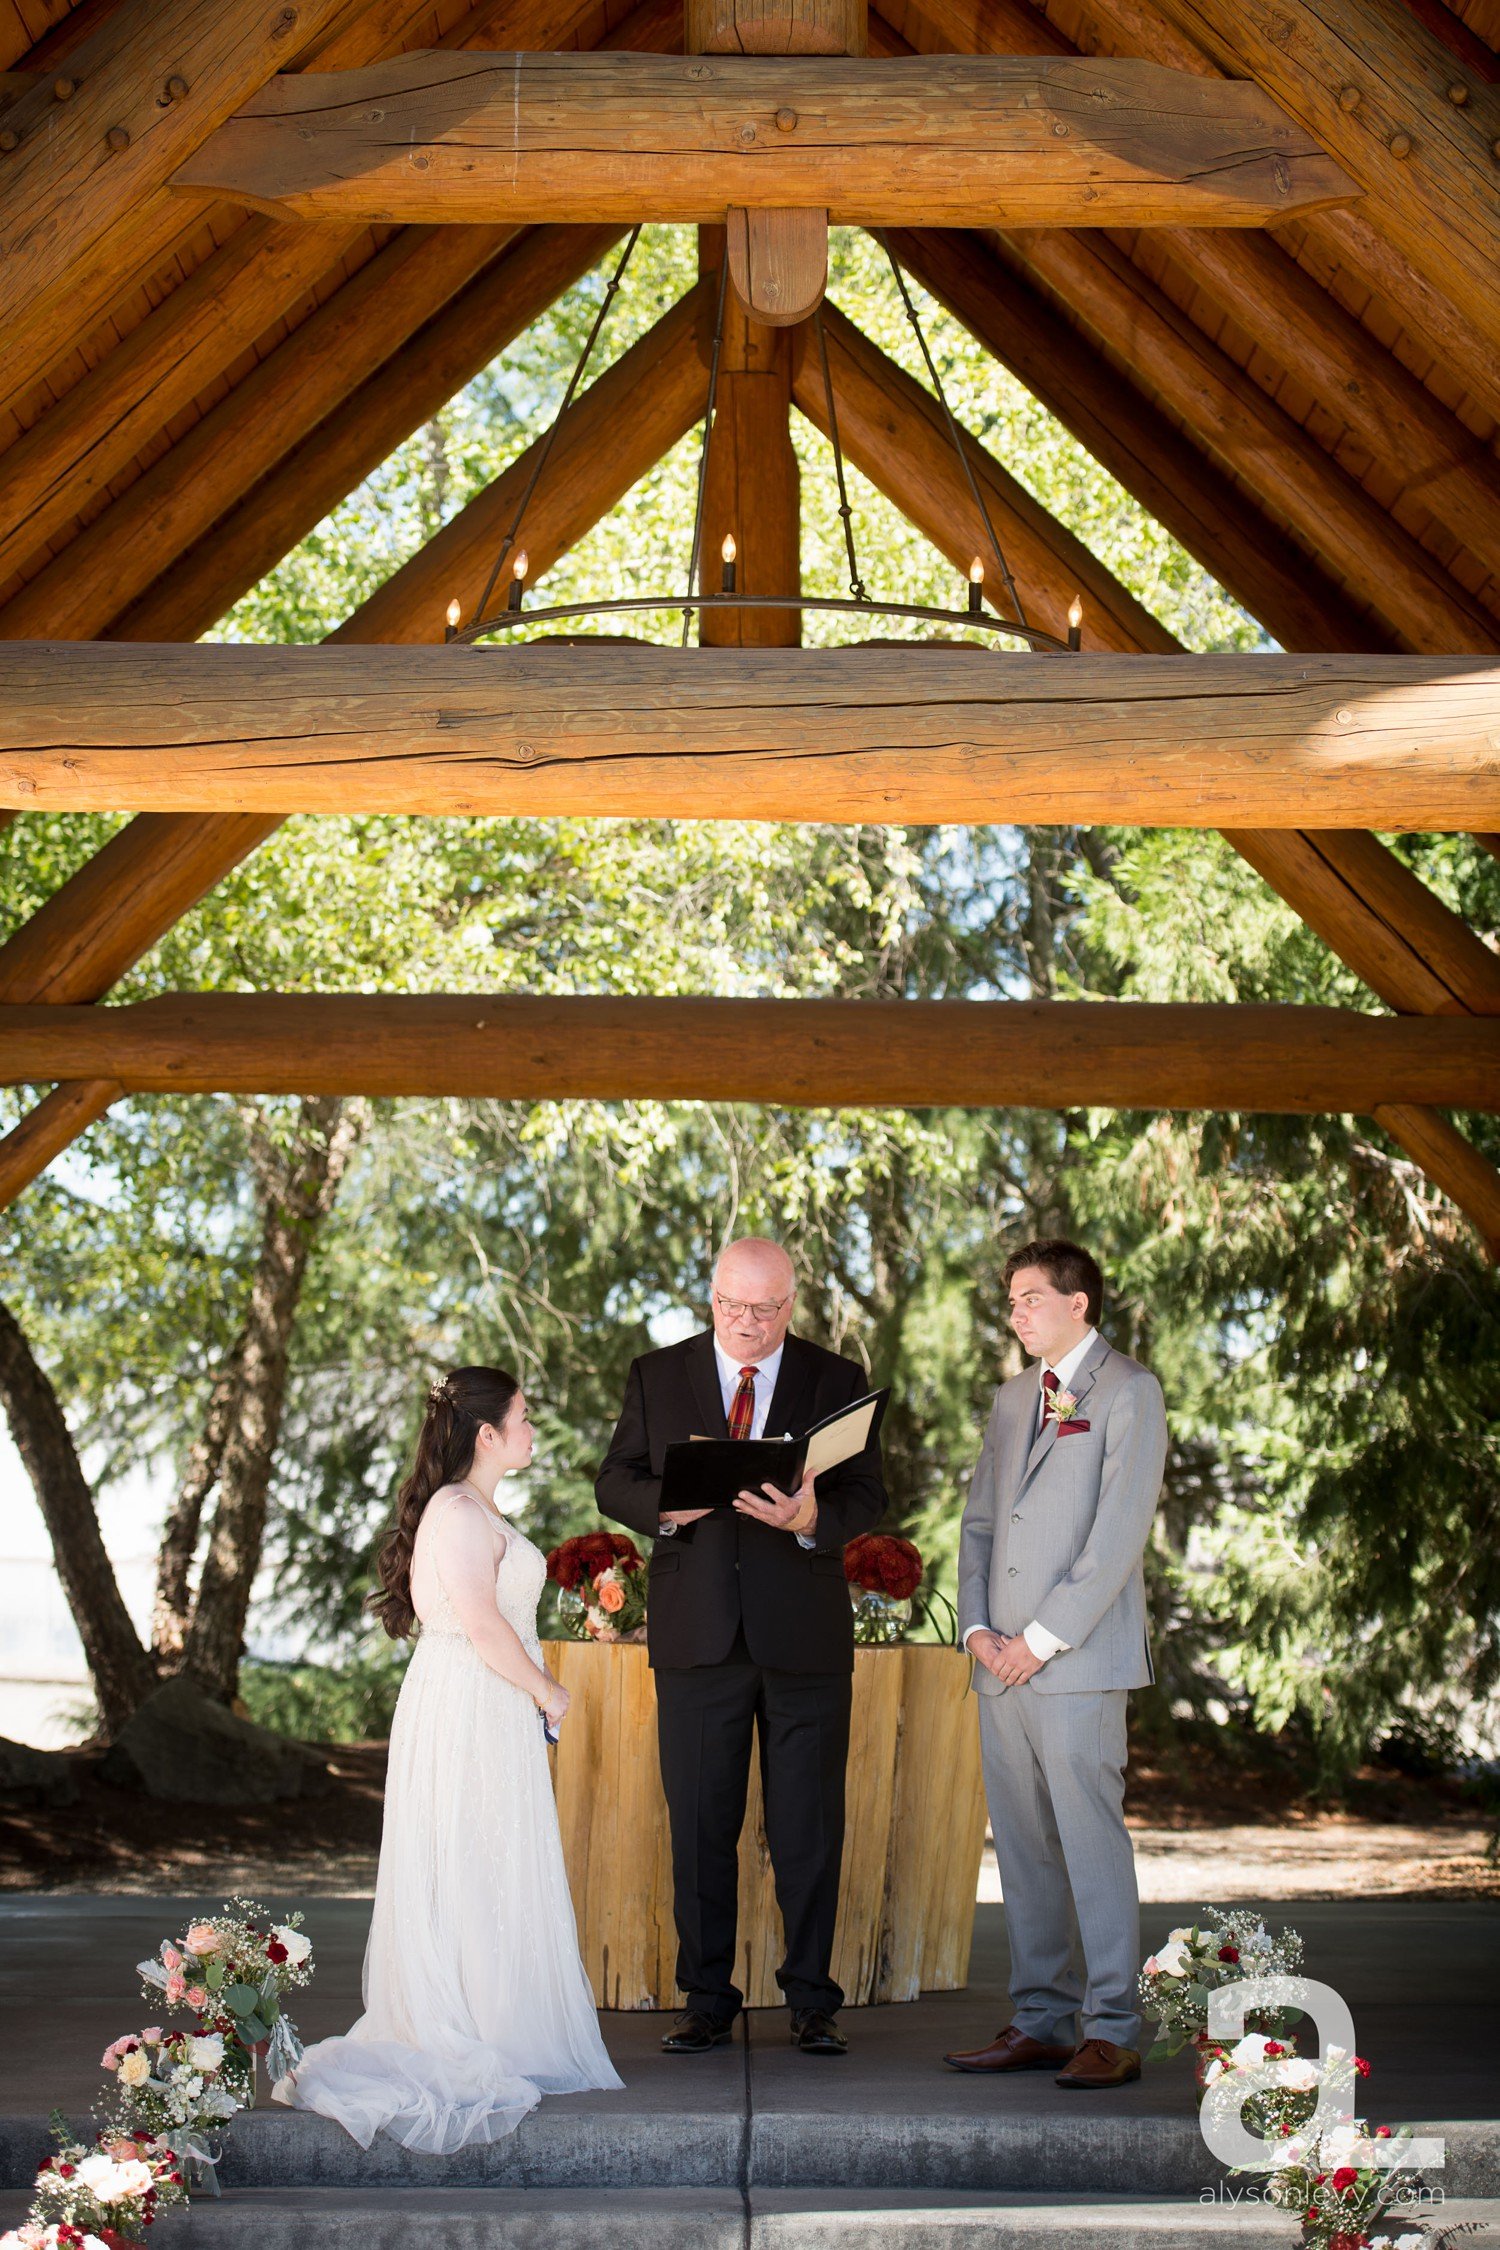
(1090, 2150)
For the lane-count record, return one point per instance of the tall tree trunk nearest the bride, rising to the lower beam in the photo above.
(298, 1187)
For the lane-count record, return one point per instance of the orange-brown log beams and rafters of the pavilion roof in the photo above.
(1310, 406)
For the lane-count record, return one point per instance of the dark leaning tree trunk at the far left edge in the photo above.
(120, 1666)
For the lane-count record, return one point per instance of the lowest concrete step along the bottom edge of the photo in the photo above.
(723, 2220)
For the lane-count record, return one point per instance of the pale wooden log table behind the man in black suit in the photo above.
(914, 1842)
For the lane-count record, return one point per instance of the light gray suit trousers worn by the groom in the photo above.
(1056, 1788)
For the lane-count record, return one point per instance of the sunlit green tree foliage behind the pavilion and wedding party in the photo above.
(1323, 1324)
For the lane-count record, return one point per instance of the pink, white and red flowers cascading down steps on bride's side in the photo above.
(172, 2091)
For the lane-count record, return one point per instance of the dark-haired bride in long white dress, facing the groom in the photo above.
(476, 2001)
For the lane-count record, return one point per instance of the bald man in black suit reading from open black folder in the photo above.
(750, 1630)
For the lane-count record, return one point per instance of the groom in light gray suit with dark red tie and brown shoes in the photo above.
(1051, 1603)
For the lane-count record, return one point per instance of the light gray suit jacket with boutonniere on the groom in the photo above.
(1056, 1527)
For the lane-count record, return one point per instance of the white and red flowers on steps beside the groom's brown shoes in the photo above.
(1326, 2177)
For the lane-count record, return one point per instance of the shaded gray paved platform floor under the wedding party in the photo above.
(1420, 1977)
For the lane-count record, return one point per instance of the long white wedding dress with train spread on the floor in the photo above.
(476, 2001)
